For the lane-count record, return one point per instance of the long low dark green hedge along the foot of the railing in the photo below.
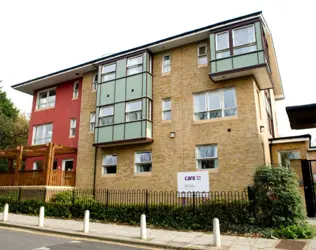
(179, 217)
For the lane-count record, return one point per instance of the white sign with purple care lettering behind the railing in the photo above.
(193, 181)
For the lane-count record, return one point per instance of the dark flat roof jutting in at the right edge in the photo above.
(302, 116)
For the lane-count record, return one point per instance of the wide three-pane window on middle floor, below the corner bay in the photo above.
(220, 103)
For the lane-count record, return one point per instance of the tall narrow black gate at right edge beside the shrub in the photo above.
(309, 188)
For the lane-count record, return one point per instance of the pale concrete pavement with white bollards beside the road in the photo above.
(156, 237)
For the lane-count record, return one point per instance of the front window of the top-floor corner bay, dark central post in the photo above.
(243, 41)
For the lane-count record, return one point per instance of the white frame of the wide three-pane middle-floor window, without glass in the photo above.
(222, 103)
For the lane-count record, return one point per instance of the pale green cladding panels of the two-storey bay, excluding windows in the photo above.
(116, 93)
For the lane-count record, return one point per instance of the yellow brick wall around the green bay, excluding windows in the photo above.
(239, 151)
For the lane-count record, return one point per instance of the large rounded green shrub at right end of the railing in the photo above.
(277, 201)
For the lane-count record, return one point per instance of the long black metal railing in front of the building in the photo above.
(108, 197)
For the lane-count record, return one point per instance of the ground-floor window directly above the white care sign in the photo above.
(206, 157)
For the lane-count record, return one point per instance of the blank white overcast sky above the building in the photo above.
(40, 37)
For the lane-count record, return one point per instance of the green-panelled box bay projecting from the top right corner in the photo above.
(241, 51)
